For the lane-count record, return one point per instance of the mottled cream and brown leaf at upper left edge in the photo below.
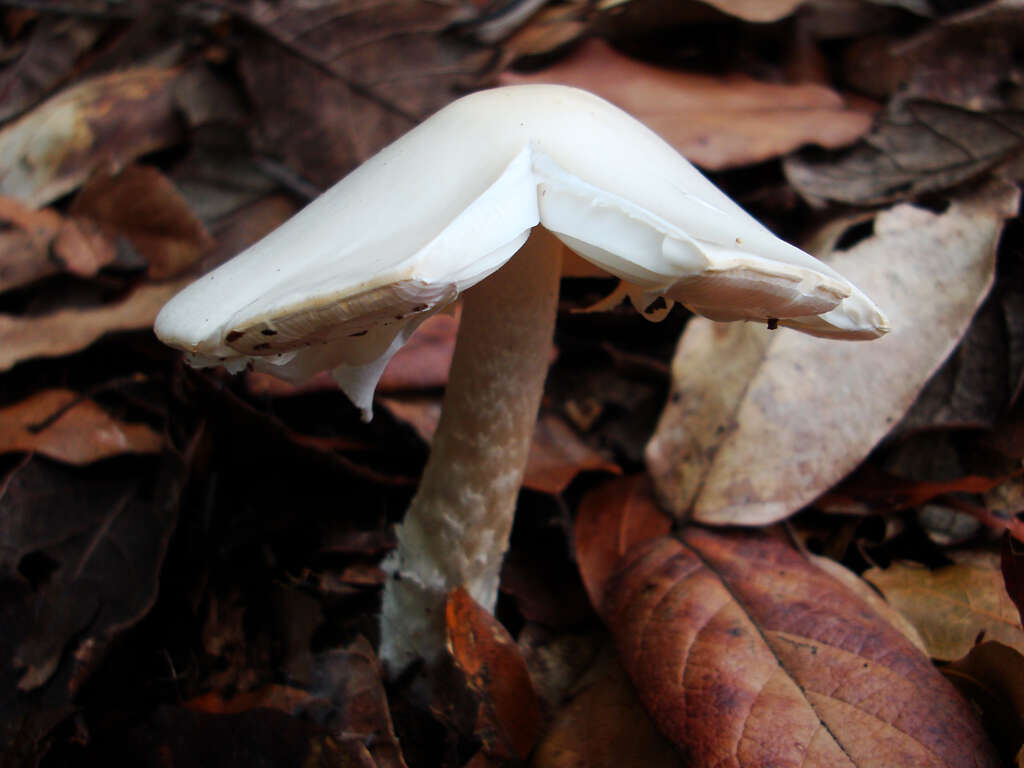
(111, 119)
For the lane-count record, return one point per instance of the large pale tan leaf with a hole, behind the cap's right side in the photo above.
(760, 423)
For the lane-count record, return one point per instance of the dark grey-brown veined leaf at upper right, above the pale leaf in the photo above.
(916, 148)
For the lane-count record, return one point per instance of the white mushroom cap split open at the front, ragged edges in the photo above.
(344, 283)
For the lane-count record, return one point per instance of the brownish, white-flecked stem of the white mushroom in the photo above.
(457, 529)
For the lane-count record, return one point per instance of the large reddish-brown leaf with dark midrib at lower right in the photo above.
(746, 655)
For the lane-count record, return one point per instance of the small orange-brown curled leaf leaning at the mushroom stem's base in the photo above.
(508, 717)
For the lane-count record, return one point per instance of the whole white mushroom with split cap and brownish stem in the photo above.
(453, 207)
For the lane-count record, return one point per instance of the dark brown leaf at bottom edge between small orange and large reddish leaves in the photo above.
(605, 726)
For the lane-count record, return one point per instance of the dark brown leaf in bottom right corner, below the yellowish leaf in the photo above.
(992, 677)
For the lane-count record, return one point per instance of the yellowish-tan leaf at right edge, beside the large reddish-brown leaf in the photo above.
(953, 607)
